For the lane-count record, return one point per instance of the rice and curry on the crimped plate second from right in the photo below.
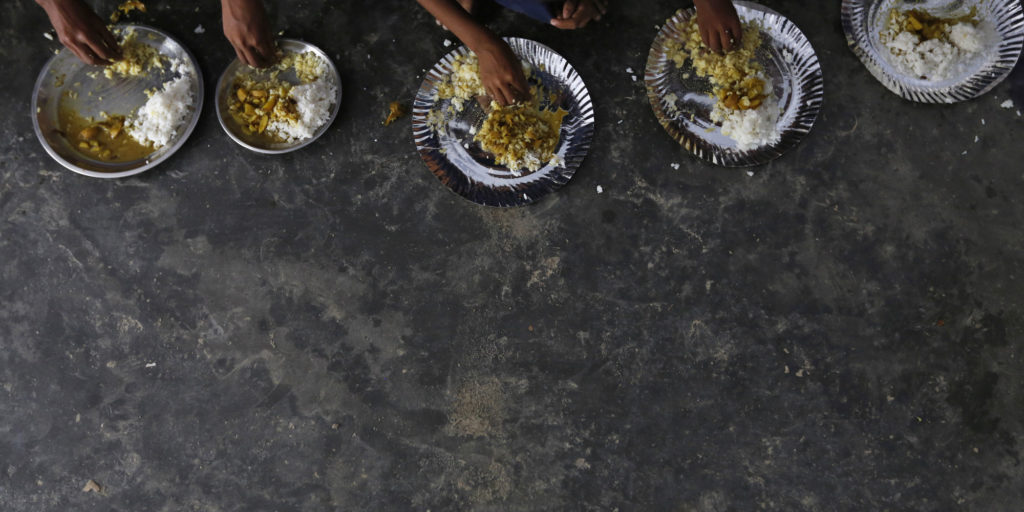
(745, 105)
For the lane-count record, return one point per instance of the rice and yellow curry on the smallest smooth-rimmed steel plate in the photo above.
(281, 111)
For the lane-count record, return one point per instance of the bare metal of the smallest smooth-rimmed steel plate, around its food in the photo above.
(235, 132)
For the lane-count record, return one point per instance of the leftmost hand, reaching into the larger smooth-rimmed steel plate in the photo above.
(82, 32)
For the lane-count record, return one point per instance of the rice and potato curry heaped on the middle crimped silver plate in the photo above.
(524, 138)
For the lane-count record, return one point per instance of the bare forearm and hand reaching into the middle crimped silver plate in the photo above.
(501, 72)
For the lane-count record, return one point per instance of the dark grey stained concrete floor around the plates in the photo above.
(334, 330)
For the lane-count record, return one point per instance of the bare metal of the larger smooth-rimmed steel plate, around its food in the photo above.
(120, 96)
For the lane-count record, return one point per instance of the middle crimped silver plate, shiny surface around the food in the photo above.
(466, 169)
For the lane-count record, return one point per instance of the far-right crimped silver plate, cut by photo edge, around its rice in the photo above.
(1002, 25)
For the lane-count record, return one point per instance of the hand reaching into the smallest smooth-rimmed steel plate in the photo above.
(249, 32)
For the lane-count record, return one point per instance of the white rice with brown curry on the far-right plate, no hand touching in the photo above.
(929, 48)
